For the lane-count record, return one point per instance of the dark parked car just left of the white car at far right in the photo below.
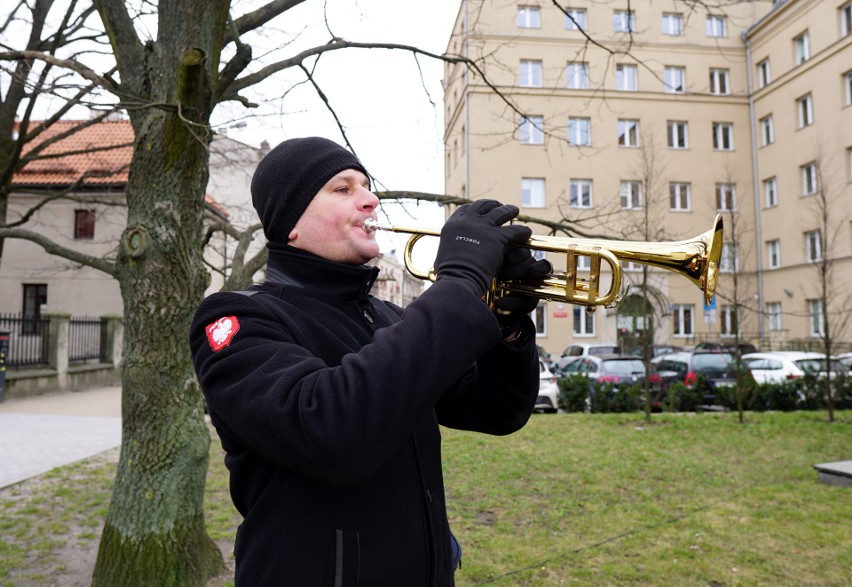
(712, 368)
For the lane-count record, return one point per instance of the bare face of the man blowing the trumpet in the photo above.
(331, 225)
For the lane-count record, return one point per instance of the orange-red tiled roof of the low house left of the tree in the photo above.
(93, 152)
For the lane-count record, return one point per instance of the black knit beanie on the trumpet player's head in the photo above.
(288, 178)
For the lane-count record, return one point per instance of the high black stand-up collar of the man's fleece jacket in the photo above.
(290, 266)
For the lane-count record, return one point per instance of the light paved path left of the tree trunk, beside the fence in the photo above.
(38, 434)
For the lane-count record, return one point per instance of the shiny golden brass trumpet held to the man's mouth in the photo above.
(697, 259)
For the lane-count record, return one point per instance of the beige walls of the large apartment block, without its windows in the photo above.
(485, 157)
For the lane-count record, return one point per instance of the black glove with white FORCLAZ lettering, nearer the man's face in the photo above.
(473, 242)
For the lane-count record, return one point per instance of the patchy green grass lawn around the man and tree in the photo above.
(603, 499)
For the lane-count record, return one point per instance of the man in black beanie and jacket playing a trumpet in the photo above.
(327, 401)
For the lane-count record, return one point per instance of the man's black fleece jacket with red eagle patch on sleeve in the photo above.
(327, 403)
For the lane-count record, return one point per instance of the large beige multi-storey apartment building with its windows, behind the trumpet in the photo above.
(643, 121)
